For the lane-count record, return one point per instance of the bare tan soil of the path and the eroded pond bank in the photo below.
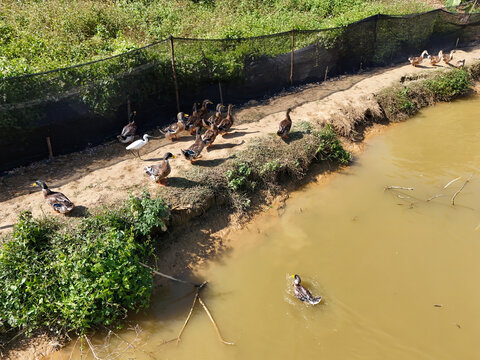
(103, 175)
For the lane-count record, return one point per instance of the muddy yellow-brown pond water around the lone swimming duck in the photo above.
(398, 275)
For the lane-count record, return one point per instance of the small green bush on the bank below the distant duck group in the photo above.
(449, 85)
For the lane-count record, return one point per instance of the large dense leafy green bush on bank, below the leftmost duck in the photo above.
(76, 281)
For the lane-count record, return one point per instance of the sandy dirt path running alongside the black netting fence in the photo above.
(104, 175)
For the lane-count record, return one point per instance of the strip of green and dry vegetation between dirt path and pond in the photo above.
(70, 275)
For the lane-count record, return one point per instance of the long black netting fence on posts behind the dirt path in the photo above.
(87, 104)
